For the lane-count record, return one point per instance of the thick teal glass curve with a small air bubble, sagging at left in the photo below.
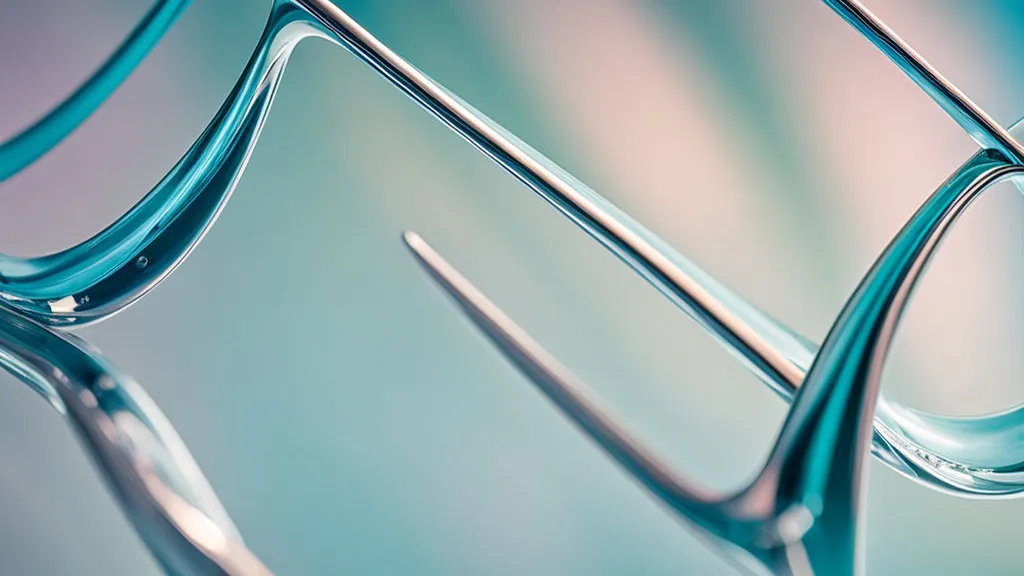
(105, 274)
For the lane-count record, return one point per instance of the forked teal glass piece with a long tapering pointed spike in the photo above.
(800, 515)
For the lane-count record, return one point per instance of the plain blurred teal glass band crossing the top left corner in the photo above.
(34, 142)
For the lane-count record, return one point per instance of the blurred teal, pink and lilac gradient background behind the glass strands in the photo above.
(353, 424)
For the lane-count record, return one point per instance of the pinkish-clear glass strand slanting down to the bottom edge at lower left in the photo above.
(146, 465)
